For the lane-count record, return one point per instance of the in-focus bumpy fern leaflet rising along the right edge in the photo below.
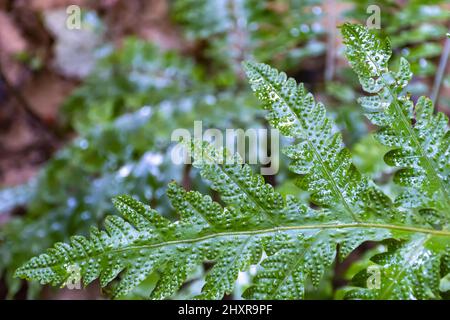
(420, 139)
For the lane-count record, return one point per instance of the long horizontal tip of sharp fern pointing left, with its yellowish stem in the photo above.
(299, 242)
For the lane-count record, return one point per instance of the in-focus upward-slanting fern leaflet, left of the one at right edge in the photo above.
(320, 157)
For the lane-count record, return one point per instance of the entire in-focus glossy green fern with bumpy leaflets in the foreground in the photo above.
(290, 242)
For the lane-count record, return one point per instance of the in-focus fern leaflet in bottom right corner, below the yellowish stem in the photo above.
(407, 271)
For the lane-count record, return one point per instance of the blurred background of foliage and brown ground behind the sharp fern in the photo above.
(88, 114)
